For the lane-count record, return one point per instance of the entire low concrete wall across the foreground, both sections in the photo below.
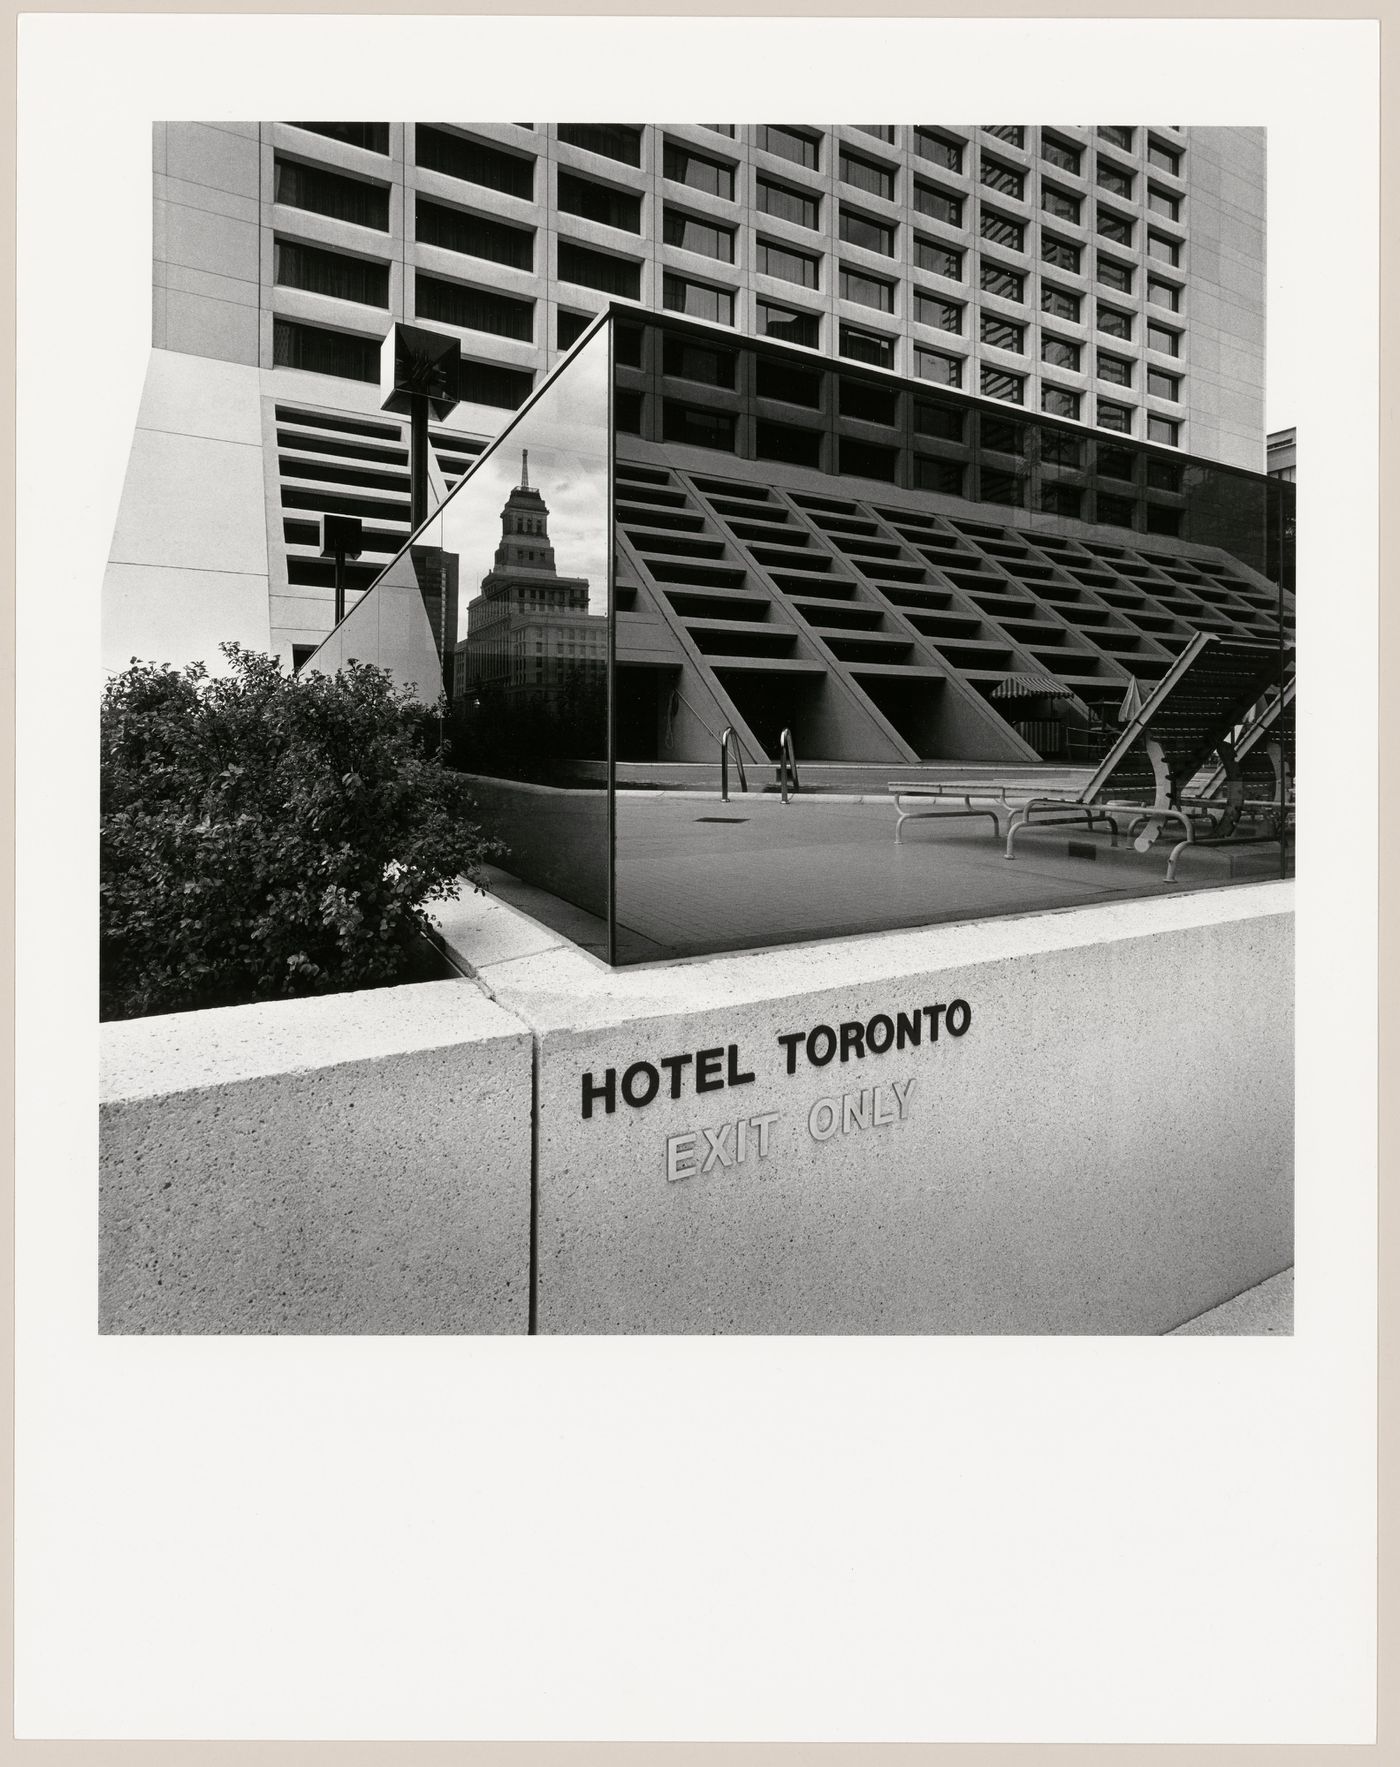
(1097, 1142)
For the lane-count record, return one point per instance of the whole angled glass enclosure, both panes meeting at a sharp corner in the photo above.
(745, 646)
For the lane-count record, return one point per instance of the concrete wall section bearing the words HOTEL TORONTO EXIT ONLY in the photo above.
(1107, 1148)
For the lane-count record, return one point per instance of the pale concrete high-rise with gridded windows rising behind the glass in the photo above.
(1106, 277)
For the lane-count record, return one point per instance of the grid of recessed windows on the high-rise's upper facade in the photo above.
(605, 199)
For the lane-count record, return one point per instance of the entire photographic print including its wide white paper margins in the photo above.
(678, 798)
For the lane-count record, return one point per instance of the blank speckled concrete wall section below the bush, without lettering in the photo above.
(354, 1164)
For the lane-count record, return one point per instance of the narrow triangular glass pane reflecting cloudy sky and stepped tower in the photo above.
(498, 614)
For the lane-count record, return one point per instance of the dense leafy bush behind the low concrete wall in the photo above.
(270, 835)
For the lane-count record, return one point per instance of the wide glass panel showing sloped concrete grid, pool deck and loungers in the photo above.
(872, 637)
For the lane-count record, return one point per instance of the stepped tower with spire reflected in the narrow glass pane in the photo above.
(529, 630)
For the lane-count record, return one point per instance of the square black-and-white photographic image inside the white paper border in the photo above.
(646, 545)
